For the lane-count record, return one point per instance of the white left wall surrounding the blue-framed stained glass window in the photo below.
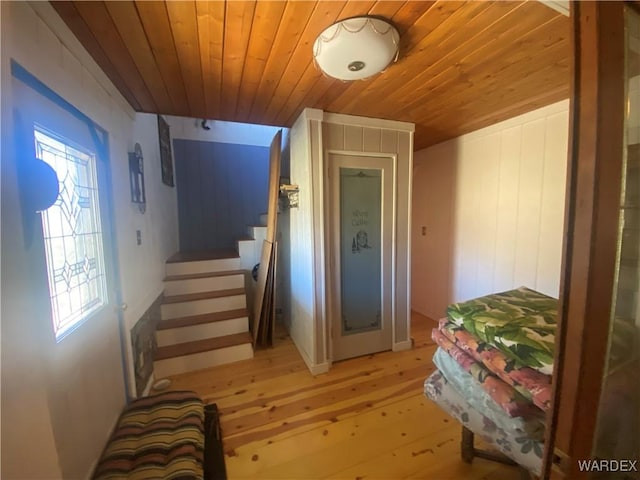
(57, 412)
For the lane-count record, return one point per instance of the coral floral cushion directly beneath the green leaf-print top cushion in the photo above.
(530, 383)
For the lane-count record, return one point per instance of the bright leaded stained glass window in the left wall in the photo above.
(72, 234)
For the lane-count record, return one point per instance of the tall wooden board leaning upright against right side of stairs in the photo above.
(267, 256)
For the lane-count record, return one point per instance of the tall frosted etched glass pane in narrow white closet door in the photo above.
(360, 249)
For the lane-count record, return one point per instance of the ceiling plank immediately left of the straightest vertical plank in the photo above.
(184, 28)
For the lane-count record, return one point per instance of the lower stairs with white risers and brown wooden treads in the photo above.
(204, 315)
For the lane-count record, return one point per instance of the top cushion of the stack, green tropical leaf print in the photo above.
(520, 323)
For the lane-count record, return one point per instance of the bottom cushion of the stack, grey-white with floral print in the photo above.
(521, 448)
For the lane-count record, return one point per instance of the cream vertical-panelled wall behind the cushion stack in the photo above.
(492, 204)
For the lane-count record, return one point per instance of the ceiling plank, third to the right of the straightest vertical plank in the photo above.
(292, 24)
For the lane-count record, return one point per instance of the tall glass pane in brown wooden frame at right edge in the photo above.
(618, 429)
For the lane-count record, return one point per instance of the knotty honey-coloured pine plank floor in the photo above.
(366, 418)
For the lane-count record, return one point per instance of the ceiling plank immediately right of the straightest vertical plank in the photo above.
(239, 19)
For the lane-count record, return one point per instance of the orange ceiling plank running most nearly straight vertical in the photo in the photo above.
(211, 24)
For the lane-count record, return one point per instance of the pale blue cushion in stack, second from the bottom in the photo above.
(464, 383)
